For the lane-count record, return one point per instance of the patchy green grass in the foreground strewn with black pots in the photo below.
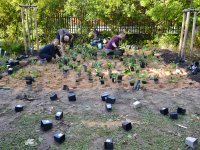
(154, 132)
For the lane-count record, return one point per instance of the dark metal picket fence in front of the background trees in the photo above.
(133, 26)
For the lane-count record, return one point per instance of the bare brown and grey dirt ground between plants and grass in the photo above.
(184, 93)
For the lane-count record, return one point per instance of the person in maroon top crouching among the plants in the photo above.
(113, 43)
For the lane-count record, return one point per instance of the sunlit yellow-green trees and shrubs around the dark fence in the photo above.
(115, 13)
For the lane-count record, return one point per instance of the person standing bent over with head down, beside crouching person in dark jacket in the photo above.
(64, 36)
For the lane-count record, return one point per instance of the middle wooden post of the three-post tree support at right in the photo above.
(185, 36)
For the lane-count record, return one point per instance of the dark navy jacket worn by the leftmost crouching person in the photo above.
(51, 50)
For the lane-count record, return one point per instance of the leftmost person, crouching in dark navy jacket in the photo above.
(49, 51)
